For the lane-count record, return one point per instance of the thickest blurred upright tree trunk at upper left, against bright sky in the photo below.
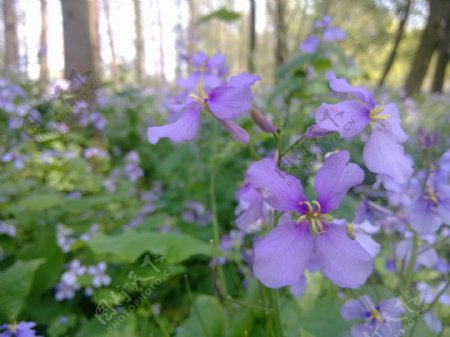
(80, 38)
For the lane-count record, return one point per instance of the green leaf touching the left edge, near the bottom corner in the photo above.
(15, 285)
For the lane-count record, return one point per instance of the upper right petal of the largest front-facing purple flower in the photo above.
(335, 178)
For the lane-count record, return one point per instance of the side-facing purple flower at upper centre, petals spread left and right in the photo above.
(224, 102)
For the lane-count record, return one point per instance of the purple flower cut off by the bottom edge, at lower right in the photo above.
(383, 320)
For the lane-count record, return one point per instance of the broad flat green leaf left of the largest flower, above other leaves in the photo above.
(127, 247)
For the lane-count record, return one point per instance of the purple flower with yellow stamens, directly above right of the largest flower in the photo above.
(383, 153)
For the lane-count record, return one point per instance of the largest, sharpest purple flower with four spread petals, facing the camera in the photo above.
(284, 254)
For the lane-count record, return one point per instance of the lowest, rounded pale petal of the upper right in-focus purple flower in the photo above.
(382, 155)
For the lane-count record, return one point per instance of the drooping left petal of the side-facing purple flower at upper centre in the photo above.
(185, 128)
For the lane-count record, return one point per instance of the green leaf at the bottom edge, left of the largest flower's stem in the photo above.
(206, 319)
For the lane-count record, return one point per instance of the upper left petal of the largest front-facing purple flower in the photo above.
(281, 191)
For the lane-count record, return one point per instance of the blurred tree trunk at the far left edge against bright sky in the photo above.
(11, 38)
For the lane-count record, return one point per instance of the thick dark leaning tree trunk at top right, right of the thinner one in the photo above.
(427, 45)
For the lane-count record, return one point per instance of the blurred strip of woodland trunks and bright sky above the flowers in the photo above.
(145, 41)
